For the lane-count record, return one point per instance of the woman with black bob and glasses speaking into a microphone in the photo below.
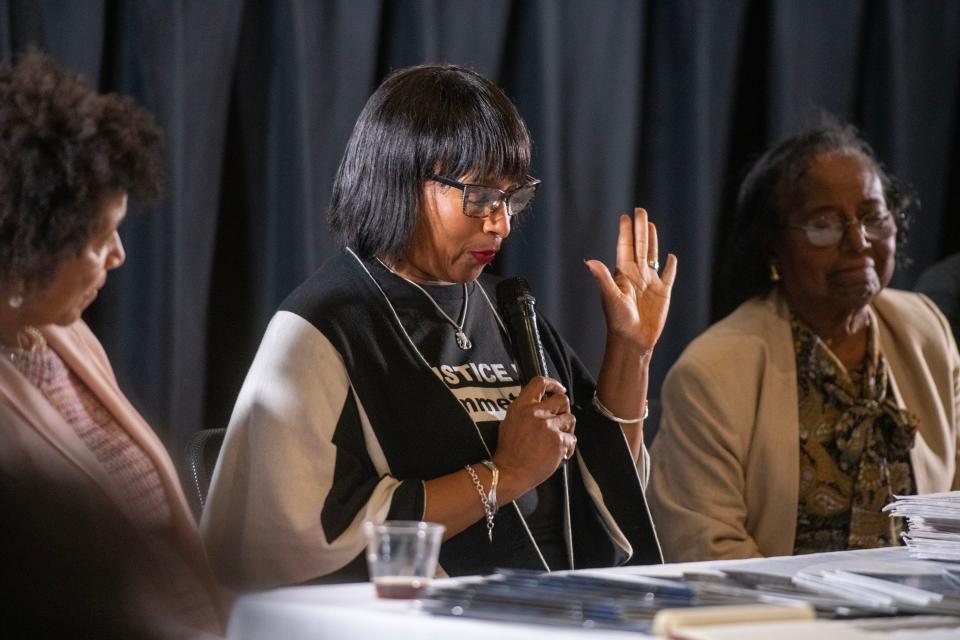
(385, 386)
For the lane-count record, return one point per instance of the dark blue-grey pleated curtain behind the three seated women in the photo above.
(657, 103)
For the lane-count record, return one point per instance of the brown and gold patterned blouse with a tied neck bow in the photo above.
(854, 448)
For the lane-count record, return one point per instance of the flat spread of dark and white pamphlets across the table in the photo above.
(842, 585)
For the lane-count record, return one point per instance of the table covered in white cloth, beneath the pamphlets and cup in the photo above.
(353, 611)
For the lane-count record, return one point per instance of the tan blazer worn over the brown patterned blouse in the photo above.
(726, 460)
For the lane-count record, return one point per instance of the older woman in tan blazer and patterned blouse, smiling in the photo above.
(789, 424)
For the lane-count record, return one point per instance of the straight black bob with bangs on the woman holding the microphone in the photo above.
(429, 119)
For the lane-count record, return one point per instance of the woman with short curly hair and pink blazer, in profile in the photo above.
(68, 159)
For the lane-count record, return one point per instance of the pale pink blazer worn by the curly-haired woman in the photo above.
(35, 438)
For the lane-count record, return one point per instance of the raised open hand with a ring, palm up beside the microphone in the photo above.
(636, 297)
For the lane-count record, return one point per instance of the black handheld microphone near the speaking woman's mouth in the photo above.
(518, 308)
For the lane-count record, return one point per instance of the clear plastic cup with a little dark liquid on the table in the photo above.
(402, 556)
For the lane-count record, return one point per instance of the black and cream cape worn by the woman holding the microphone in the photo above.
(341, 420)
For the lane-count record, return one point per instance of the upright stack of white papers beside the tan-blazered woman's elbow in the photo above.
(934, 523)
